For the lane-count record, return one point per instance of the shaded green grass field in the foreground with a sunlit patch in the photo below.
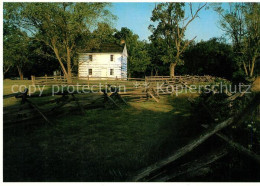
(102, 145)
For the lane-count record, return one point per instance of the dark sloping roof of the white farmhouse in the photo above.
(107, 48)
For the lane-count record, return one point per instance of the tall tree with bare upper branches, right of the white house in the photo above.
(172, 24)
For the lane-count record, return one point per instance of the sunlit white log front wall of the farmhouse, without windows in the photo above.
(100, 65)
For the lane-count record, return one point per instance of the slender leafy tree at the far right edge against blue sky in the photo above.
(241, 23)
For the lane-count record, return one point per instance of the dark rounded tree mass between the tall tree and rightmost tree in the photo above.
(213, 57)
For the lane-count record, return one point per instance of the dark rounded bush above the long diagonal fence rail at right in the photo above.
(212, 106)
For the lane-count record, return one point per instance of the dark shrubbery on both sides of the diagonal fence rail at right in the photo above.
(211, 108)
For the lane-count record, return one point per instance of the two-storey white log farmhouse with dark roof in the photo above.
(108, 61)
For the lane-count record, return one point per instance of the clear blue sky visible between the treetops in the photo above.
(136, 16)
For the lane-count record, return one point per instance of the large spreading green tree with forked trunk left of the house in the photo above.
(61, 26)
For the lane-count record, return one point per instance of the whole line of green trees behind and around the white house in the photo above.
(40, 38)
